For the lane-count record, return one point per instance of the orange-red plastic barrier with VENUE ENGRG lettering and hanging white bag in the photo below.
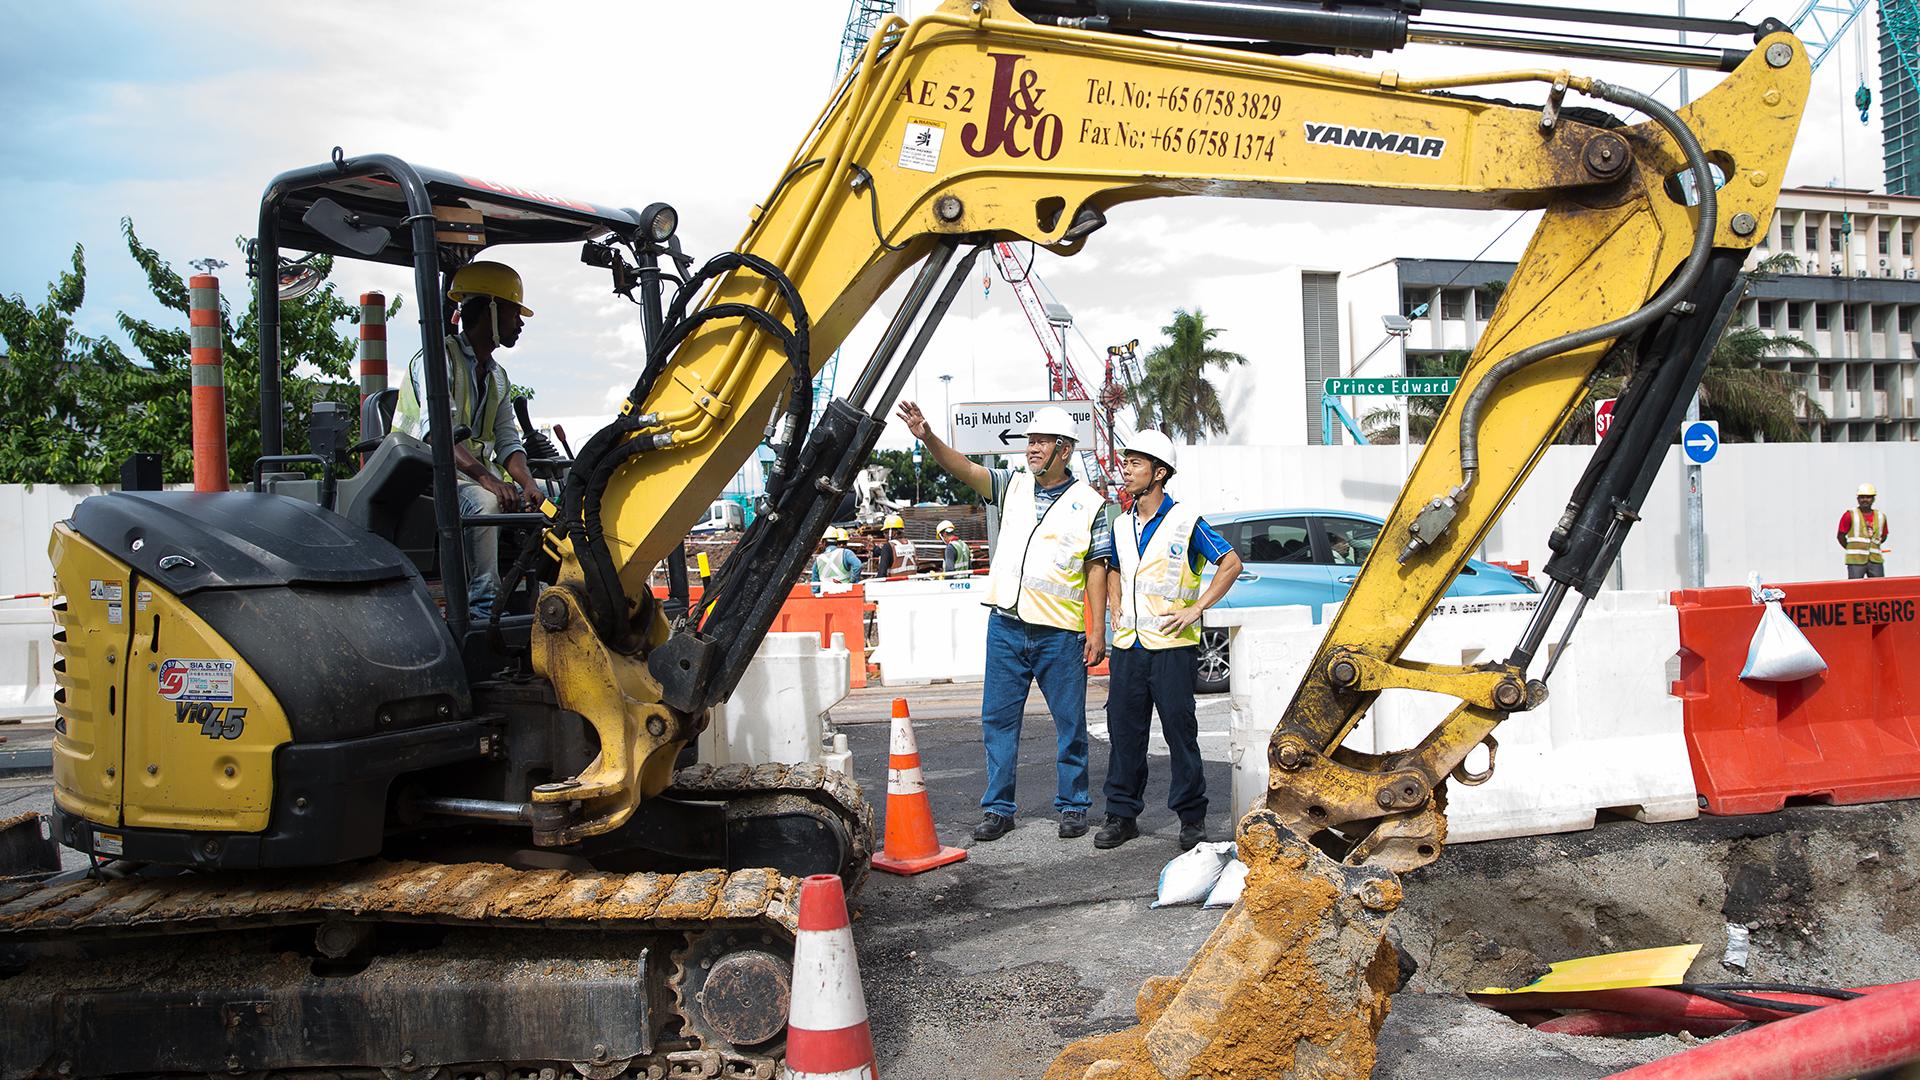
(1850, 735)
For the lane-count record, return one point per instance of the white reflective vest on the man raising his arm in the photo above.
(1040, 568)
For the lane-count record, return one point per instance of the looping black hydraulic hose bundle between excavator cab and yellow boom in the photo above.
(621, 441)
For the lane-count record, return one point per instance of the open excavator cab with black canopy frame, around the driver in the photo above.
(385, 210)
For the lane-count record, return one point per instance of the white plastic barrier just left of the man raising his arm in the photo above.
(930, 631)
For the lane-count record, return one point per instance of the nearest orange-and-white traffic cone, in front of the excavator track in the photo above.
(828, 1037)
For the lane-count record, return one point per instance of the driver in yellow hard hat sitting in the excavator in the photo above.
(491, 318)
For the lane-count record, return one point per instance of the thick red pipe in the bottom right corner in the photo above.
(1842, 1041)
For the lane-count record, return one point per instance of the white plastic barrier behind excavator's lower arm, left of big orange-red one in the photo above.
(1610, 735)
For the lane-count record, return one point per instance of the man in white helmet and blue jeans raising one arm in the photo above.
(1053, 556)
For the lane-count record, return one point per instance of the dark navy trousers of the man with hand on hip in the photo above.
(1140, 683)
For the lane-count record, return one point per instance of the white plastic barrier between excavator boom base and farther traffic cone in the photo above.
(780, 710)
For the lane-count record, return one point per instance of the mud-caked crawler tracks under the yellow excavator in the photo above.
(420, 971)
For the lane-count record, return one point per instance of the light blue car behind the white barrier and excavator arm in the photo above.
(1308, 558)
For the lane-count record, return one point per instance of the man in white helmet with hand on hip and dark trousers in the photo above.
(1157, 606)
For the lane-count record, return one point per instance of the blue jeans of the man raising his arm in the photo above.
(1020, 654)
